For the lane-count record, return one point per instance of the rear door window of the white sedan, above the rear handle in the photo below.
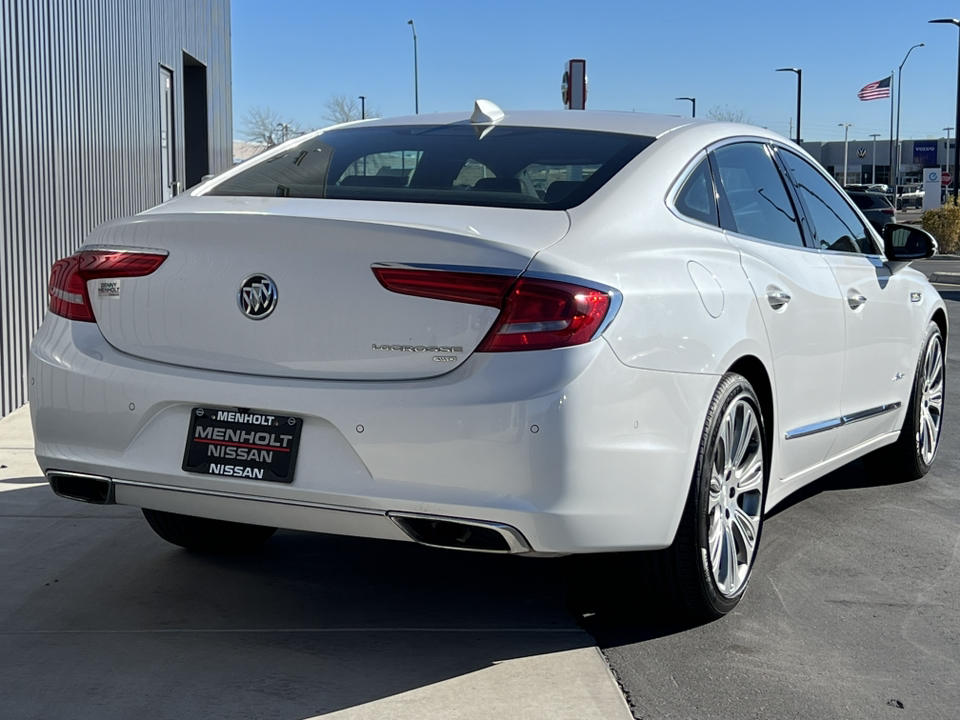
(754, 190)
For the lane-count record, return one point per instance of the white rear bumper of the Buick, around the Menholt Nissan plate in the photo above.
(575, 450)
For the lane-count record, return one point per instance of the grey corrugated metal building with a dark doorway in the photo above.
(107, 107)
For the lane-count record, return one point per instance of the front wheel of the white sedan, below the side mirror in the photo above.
(911, 456)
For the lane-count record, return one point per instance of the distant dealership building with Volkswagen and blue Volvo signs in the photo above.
(862, 154)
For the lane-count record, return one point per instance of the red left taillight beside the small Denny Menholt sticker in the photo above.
(67, 288)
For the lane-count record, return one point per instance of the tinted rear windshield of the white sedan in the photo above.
(539, 168)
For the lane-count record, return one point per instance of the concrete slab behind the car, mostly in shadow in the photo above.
(102, 619)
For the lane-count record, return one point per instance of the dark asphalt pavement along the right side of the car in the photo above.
(853, 610)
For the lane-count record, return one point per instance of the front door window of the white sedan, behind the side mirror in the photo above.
(836, 225)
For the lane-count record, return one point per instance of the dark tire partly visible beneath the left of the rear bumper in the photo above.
(207, 535)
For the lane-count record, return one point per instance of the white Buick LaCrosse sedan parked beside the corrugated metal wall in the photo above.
(541, 333)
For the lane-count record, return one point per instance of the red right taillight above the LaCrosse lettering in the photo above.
(535, 313)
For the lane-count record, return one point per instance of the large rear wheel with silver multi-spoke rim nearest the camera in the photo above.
(707, 567)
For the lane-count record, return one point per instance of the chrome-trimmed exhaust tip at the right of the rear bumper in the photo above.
(461, 534)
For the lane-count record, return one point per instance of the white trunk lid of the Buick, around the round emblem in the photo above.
(186, 313)
